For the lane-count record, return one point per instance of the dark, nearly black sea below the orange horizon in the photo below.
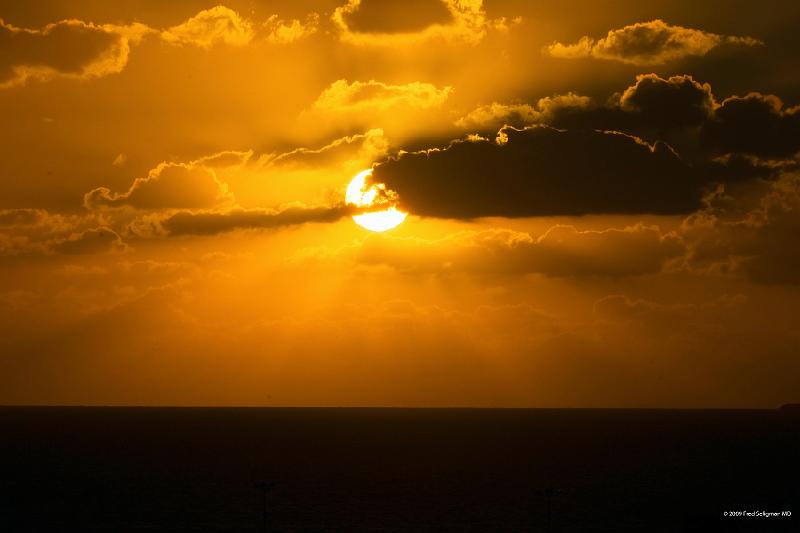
(168, 469)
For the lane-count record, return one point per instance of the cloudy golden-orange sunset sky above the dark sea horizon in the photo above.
(602, 199)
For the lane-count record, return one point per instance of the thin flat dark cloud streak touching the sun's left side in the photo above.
(210, 223)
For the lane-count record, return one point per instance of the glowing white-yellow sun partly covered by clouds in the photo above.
(360, 194)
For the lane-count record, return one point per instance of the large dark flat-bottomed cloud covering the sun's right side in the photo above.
(543, 171)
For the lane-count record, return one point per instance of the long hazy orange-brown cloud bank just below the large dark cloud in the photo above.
(562, 251)
